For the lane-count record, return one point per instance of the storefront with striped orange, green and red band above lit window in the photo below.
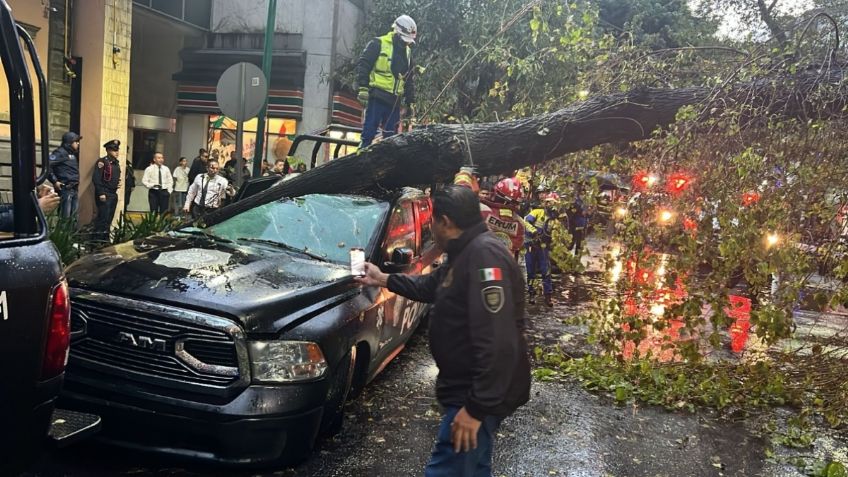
(201, 122)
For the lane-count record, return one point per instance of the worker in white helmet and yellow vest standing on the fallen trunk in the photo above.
(385, 74)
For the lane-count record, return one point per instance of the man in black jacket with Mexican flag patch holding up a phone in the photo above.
(476, 333)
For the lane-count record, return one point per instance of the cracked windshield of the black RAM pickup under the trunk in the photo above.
(325, 226)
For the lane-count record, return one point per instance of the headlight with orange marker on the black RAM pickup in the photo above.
(285, 361)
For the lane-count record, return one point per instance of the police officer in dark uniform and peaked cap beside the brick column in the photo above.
(106, 179)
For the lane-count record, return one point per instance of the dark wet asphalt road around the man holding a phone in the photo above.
(563, 431)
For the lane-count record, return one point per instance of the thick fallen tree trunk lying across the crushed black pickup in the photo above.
(435, 153)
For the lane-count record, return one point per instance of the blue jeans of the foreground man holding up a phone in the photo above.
(444, 462)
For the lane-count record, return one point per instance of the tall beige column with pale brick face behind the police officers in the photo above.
(102, 37)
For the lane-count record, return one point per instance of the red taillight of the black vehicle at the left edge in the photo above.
(58, 333)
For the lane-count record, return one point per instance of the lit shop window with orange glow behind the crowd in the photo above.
(279, 133)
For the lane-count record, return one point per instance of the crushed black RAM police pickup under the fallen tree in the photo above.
(239, 342)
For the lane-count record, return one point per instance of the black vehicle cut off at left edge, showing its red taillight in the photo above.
(34, 309)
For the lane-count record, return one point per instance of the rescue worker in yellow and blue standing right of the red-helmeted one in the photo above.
(539, 225)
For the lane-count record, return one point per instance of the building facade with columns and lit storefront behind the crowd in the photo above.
(145, 72)
